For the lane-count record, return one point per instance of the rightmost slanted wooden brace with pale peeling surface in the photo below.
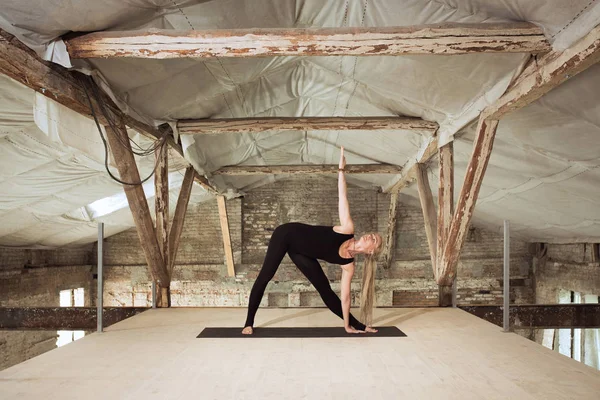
(482, 149)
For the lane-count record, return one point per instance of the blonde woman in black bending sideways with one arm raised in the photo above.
(335, 244)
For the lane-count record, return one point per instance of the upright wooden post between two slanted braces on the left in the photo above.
(161, 205)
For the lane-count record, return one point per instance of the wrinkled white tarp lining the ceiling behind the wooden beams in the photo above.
(543, 174)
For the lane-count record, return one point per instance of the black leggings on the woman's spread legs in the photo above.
(310, 267)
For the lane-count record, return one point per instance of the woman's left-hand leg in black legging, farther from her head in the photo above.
(275, 253)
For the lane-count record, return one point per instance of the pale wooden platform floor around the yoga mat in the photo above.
(448, 354)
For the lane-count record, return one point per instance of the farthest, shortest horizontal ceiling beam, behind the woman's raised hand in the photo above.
(307, 169)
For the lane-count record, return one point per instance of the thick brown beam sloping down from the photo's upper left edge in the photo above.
(68, 88)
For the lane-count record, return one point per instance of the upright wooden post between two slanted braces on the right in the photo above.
(445, 211)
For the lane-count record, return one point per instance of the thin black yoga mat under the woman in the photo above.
(384, 331)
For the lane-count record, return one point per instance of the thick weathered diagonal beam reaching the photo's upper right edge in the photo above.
(549, 72)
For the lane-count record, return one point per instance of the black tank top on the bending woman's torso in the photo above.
(316, 241)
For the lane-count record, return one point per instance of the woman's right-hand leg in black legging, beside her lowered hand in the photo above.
(313, 271)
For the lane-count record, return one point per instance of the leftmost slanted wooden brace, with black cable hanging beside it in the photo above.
(121, 150)
